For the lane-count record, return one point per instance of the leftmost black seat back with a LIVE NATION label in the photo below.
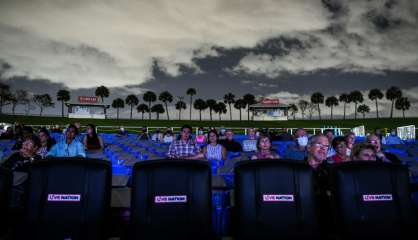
(69, 198)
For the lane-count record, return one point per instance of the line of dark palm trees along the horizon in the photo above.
(149, 105)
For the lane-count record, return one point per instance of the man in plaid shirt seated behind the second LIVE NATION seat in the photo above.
(184, 148)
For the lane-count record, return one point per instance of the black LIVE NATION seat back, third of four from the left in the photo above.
(275, 200)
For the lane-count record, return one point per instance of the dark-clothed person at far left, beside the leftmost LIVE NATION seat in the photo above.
(19, 163)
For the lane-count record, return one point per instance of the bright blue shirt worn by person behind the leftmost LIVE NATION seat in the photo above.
(62, 149)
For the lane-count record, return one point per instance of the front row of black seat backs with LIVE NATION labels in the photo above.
(69, 199)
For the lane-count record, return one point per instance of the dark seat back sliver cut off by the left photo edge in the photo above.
(6, 180)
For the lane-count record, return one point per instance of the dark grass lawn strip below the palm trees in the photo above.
(369, 123)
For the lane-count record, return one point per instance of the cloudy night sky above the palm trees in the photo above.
(277, 48)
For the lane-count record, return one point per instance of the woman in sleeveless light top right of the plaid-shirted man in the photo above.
(213, 150)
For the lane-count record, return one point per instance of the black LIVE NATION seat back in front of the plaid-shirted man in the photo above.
(171, 199)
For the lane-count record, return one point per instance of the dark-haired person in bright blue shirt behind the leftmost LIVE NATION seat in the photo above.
(68, 147)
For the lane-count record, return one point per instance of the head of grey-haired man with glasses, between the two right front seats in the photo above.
(317, 150)
